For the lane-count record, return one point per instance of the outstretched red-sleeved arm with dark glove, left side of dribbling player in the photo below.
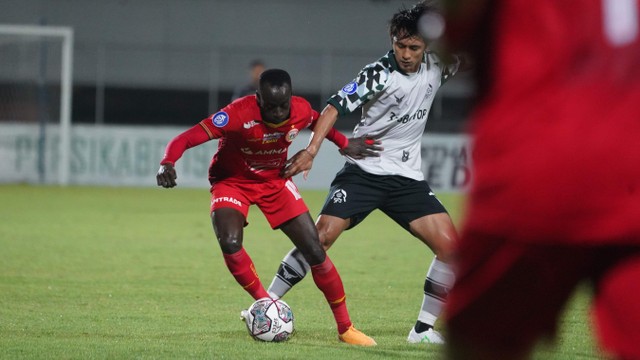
(198, 134)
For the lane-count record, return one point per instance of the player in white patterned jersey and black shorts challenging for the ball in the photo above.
(395, 94)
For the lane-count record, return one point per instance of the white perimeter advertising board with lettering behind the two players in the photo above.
(129, 156)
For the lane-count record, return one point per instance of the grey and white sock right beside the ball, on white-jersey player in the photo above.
(291, 271)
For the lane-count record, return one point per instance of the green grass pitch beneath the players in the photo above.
(136, 273)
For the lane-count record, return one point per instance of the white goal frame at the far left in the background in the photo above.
(17, 34)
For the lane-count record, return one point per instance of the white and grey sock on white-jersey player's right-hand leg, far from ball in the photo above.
(440, 279)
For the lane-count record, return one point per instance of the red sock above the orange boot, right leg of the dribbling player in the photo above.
(329, 282)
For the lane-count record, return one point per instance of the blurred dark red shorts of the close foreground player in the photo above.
(509, 295)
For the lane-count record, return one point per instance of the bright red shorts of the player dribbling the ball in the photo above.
(279, 200)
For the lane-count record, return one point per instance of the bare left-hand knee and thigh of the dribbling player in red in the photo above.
(228, 225)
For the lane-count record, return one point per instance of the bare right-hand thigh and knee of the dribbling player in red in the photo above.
(302, 232)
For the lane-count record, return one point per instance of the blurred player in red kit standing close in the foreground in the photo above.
(555, 197)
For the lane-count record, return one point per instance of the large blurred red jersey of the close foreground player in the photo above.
(556, 150)
